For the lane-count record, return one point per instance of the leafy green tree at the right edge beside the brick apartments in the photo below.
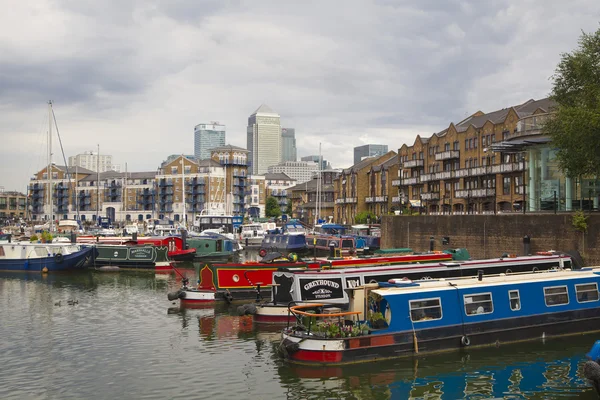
(575, 127)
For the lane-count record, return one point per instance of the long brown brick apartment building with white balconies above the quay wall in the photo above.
(488, 163)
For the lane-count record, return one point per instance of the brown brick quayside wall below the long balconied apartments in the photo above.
(487, 236)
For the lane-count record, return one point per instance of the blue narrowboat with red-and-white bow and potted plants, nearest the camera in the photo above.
(406, 318)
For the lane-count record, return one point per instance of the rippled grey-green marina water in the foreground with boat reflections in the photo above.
(124, 339)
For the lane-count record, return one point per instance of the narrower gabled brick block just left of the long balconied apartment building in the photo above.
(357, 193)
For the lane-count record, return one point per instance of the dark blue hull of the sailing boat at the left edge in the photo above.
(68, 262)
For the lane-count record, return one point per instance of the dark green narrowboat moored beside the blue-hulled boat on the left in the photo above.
(131, 256)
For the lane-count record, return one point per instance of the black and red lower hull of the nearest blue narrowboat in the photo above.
(377, 346)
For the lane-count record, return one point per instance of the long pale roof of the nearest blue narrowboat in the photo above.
(408, 286)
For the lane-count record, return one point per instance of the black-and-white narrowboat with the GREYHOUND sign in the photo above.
(333, 285)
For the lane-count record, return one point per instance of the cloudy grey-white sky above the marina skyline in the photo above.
(135, 76)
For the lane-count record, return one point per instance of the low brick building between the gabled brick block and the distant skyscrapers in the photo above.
(304, 198)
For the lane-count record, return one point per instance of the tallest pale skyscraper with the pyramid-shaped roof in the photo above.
(264, 139)
